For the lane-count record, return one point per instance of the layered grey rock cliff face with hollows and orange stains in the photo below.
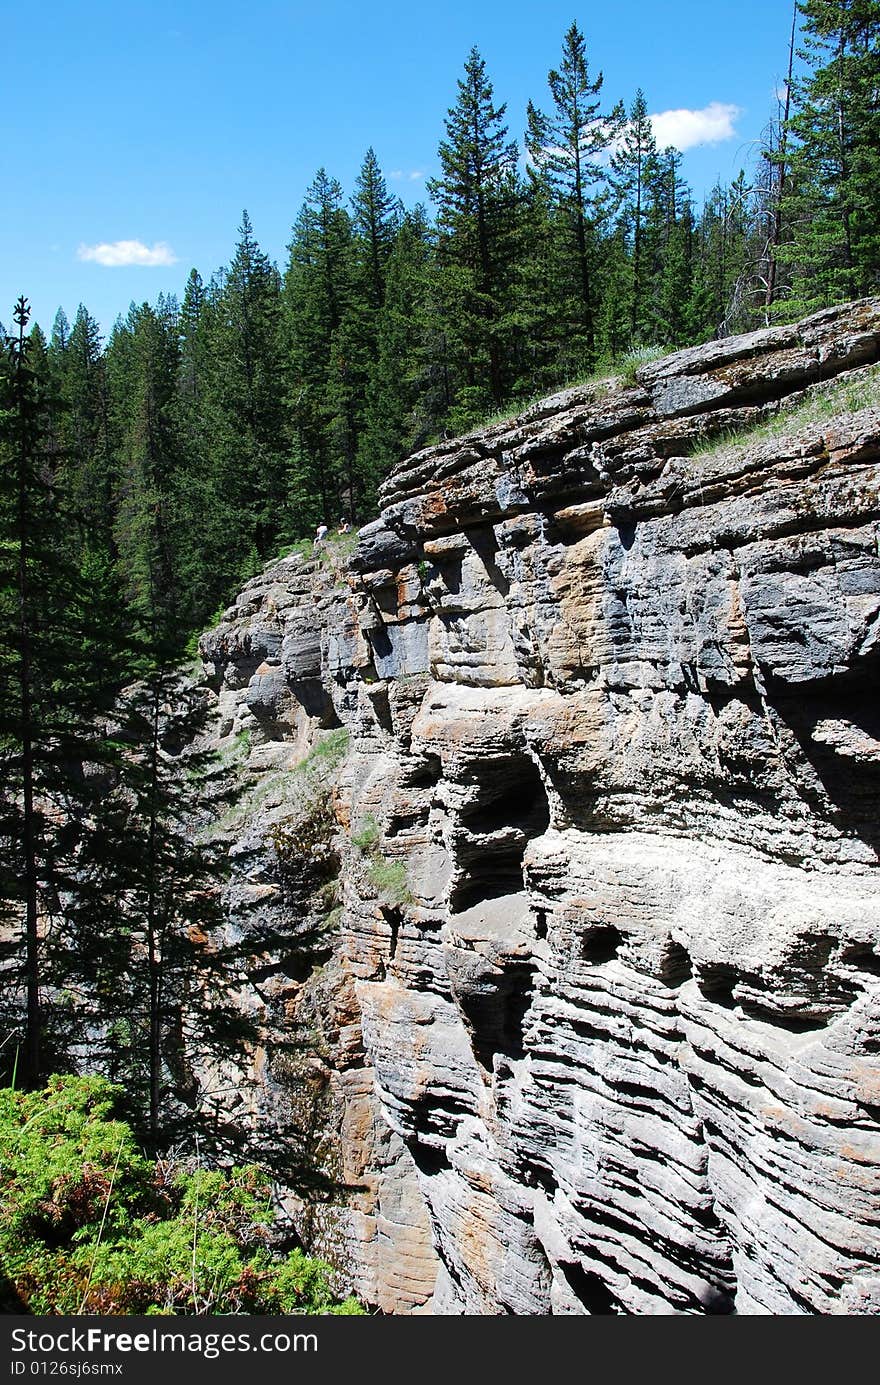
(605, 1006)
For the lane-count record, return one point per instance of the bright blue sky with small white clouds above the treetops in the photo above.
(156, 124)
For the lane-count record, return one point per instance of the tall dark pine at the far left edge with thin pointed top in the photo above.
(59, 671)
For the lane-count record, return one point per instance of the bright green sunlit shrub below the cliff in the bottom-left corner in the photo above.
(88, 1225)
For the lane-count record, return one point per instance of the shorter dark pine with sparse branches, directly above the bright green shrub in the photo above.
(167, 891)
